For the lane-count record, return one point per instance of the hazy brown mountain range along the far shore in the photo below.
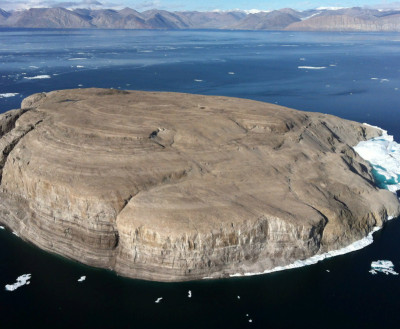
(347, 19)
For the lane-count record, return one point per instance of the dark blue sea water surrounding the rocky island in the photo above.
(352, 75)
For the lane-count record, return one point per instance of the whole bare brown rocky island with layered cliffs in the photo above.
(165, 186)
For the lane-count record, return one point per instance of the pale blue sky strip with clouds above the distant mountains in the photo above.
(203, 5)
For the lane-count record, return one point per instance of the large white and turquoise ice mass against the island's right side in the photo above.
(383, 153)
